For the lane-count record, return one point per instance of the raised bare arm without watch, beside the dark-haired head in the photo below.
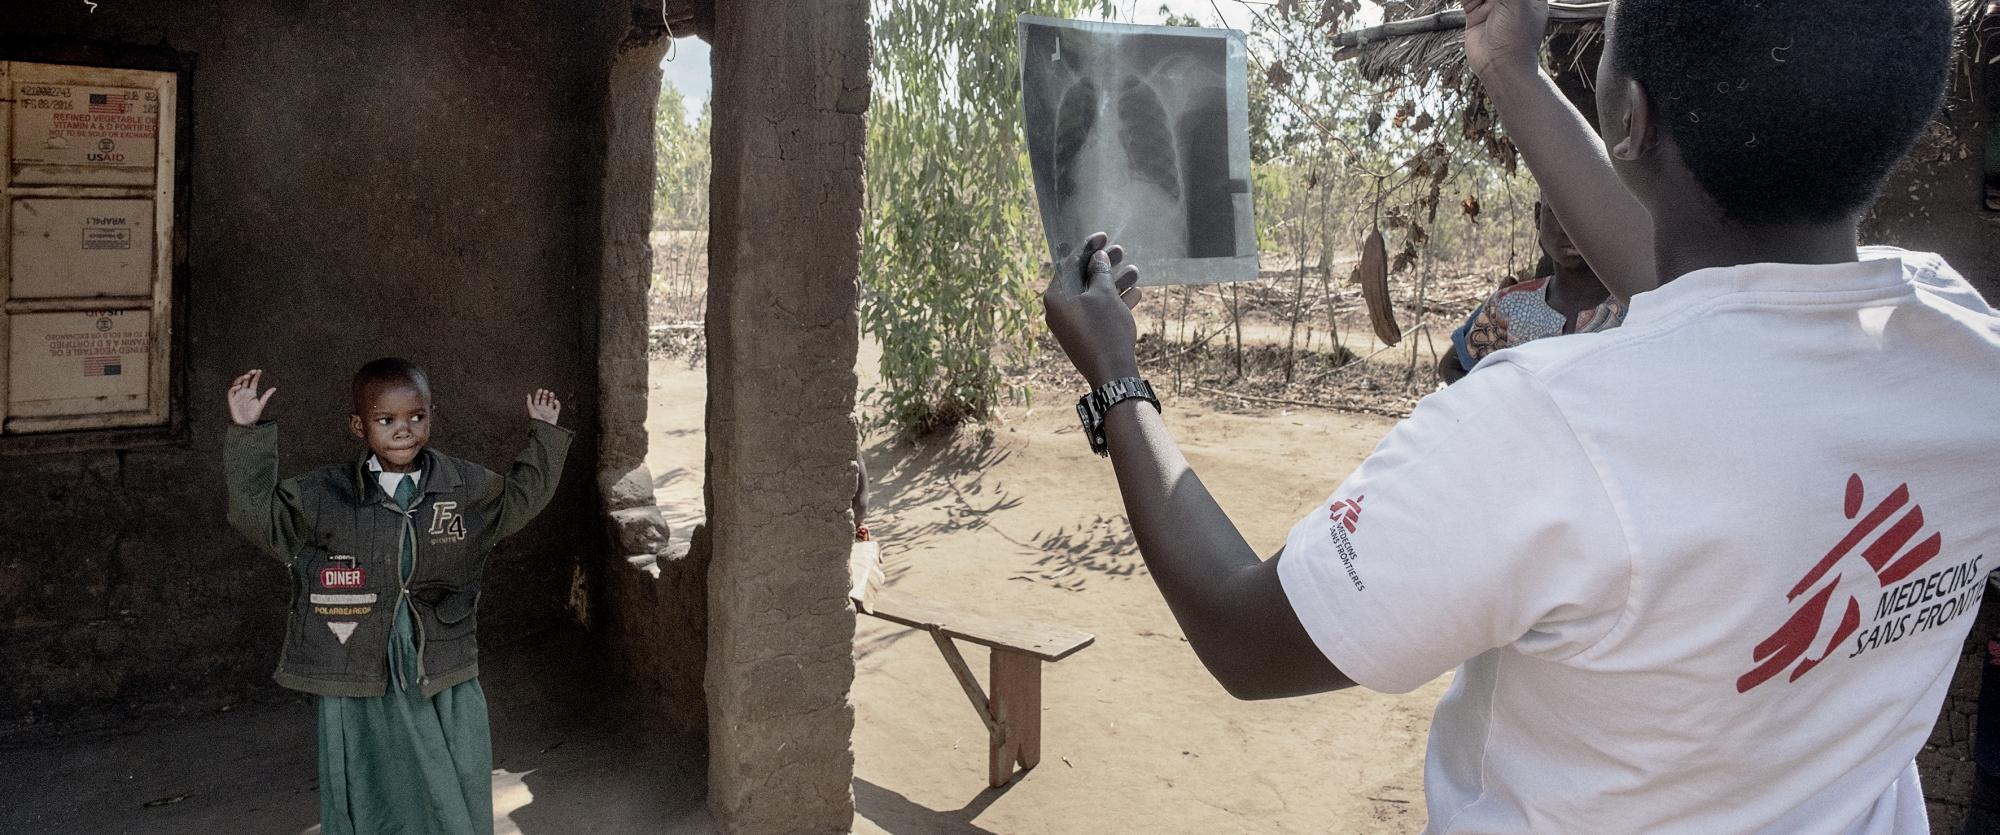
(1565, 155)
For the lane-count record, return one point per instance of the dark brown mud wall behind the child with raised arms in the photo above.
(363, 179)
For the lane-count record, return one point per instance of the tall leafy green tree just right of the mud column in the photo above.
(953, 249)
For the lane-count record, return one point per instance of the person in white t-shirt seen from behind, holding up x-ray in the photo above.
(1707, 572)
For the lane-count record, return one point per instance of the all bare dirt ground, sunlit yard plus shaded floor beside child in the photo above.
(1017, 522)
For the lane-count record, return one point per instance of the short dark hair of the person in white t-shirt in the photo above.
(1789, 111)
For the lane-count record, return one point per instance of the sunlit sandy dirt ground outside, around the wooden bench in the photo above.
(1137, 738)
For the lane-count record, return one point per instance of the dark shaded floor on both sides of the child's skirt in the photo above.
(571, 756)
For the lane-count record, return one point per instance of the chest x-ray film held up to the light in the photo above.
(1143, 133)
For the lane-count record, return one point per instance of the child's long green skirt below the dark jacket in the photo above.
(401, 764)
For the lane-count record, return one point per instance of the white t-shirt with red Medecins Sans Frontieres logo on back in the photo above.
(1701, 574)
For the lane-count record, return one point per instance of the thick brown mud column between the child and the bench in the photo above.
(791, 87)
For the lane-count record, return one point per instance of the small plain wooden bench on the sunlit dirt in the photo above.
(1013, 710)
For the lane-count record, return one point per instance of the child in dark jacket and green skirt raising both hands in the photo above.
(385, 556)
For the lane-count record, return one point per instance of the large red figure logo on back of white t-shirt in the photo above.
(1889, 560)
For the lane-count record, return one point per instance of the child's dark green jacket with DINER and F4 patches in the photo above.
(341, 534)
